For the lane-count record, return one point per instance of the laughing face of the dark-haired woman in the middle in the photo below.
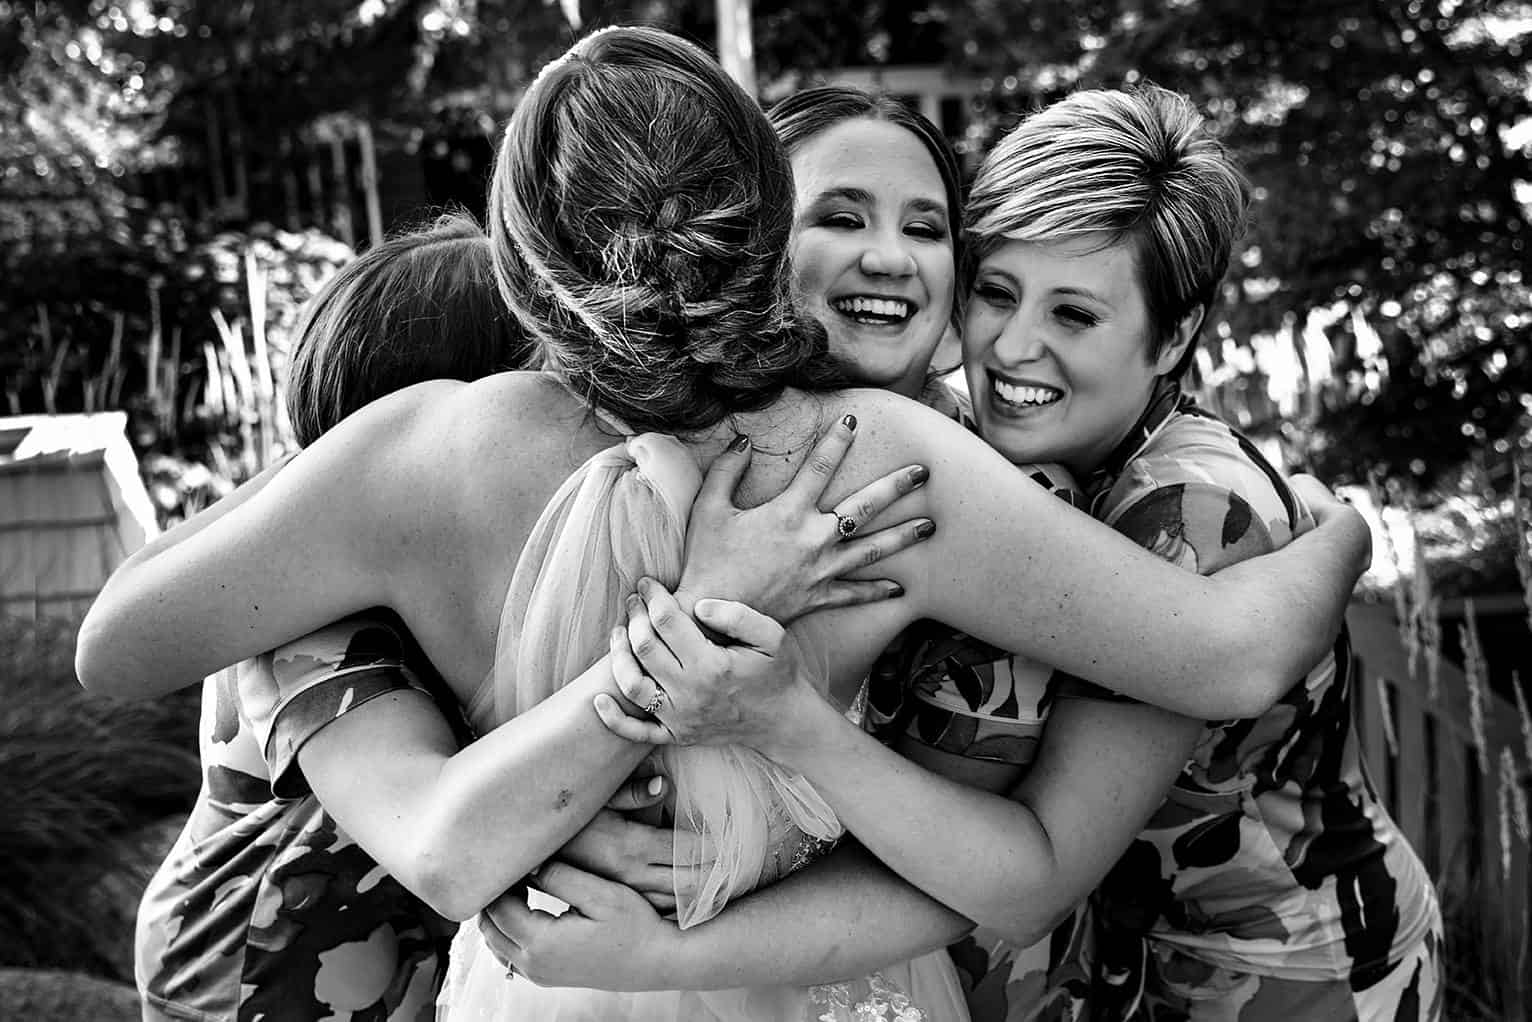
(872, 251)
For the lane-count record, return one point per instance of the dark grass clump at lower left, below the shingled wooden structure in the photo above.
(90, 794)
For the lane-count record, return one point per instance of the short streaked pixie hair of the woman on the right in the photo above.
(1138, 166)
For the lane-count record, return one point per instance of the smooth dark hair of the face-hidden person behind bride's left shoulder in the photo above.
(417, 307)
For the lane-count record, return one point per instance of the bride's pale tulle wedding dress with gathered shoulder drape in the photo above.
(620, 517)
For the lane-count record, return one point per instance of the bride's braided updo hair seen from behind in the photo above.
(641, 211)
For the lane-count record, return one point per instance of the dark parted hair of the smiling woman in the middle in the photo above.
(808, 114)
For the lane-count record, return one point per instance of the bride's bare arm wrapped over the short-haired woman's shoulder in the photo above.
(1020, 569)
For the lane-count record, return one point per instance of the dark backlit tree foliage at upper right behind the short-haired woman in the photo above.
(1392, 151)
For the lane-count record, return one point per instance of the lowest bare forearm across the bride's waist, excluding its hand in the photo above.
(839, 919)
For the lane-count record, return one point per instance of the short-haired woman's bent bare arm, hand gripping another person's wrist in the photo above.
(1015, 865)
